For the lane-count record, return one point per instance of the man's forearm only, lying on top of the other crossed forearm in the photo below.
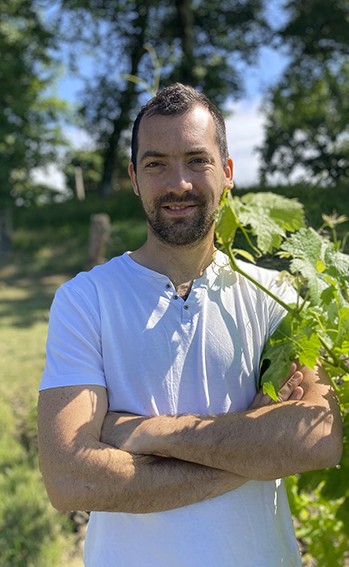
(259, 445)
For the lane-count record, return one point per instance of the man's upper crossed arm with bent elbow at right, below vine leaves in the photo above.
(263, 443)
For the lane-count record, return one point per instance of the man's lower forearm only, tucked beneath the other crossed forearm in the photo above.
(115, 481)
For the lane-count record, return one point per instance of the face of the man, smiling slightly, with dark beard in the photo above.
(180, 176)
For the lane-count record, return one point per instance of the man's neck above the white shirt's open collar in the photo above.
(182, 264)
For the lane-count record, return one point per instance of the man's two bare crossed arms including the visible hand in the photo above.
(95, 460)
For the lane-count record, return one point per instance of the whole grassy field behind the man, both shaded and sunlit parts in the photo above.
(50, 246)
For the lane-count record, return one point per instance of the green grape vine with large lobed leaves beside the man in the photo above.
(315, 329)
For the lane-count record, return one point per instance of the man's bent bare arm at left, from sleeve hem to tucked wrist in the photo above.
(83, 473)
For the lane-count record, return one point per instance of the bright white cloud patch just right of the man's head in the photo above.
(245, 133)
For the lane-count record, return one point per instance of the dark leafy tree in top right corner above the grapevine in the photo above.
(307, 111)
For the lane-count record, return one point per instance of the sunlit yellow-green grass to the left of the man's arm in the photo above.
(32, 534)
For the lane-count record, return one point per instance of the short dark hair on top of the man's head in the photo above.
(179, 99)
